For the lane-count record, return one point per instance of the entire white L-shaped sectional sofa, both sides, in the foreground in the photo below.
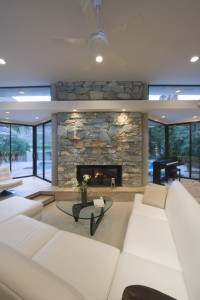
(161, 251)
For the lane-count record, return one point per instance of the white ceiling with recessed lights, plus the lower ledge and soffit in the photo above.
(160, 38)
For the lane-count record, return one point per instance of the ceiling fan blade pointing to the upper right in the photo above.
(128, 26)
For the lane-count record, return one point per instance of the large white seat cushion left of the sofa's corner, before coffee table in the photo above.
(84, 263)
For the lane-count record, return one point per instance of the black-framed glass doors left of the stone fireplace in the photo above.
(20, 149)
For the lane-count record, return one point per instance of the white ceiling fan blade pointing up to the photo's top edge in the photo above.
(89, 13)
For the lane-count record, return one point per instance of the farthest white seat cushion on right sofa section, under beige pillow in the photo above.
(147, 210)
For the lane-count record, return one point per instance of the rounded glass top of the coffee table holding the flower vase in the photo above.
(74, 208)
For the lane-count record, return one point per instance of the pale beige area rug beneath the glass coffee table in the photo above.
(111, 230)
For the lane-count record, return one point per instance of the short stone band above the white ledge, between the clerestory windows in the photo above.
(99, 90)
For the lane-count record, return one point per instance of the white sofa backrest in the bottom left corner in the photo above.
(22, 278)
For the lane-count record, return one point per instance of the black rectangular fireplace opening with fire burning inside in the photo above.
(101, 175)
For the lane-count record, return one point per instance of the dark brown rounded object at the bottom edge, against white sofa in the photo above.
(140, 292)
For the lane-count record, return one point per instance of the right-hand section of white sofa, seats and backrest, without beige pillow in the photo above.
(162, 247)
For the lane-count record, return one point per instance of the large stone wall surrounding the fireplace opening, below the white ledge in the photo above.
(100, 138)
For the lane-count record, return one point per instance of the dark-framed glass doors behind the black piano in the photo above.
(179, 142)
